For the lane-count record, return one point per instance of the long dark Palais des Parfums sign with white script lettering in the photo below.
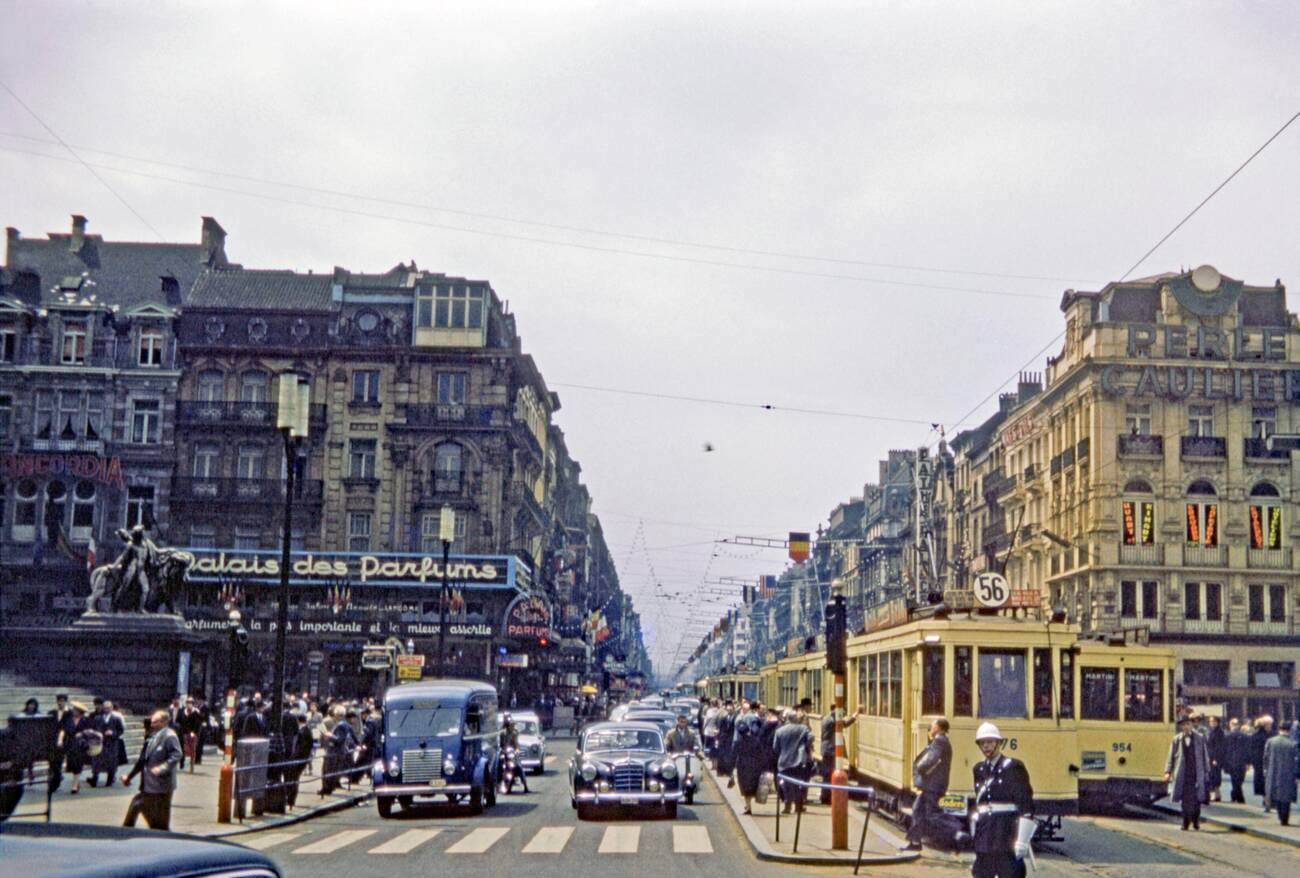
(330, 568)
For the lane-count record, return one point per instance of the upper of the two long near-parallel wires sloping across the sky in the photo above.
(557, 227)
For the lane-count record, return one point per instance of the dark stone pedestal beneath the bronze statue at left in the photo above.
(137, 660)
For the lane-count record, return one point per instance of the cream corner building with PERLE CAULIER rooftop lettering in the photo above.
(1142, 487)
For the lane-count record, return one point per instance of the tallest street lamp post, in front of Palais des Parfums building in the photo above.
(292, 419)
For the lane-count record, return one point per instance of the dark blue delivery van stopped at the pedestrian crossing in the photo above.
(440, 739)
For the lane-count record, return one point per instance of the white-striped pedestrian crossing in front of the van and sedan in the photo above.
(612, 840)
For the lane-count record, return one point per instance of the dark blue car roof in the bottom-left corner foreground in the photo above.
(79, 851)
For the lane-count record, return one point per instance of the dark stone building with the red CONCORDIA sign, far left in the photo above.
(89, 371)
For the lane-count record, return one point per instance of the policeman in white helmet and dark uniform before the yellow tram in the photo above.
(1003, 801)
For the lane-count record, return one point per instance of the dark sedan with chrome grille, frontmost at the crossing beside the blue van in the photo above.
(623, 764)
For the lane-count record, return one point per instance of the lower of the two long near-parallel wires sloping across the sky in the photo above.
(574, 245)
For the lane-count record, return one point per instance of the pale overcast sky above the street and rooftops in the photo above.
(866, 209)
